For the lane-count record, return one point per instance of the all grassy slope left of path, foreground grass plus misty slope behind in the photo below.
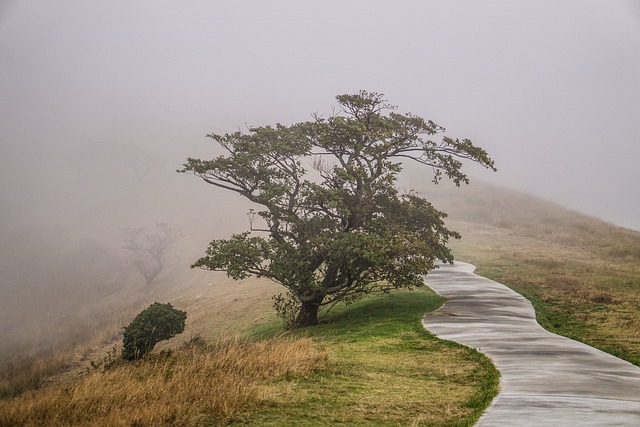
(371, 364)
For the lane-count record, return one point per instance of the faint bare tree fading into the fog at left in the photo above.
(149, 247)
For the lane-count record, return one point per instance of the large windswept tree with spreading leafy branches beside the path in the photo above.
(330, 224)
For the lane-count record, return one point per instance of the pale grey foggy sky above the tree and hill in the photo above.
(550, 88)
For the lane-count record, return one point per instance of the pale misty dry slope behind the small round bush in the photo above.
(66, 346)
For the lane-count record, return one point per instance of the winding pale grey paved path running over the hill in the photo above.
(547, 380)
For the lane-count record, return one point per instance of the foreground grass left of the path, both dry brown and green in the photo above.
(372, 363)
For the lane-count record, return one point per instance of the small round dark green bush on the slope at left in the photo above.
(156, 323)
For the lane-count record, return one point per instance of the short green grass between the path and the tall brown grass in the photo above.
(384, 369)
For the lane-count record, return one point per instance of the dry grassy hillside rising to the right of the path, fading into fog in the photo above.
(582, 274)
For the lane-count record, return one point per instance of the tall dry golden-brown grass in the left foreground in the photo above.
(190, 386)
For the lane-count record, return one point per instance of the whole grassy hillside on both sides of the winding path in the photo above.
(370, 364)
